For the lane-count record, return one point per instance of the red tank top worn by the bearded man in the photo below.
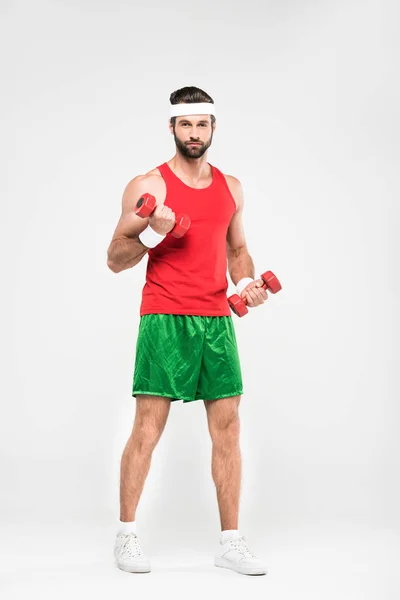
(187, 276)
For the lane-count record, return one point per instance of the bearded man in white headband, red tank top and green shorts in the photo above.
(186, 347)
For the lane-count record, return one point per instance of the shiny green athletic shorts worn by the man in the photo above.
(187, 357)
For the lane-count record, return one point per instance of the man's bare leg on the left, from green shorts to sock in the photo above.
(150, 419)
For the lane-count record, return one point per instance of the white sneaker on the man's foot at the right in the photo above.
(235, 555)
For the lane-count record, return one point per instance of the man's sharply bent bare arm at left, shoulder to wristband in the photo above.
(126, 250)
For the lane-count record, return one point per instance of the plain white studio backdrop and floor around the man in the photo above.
(307, 97)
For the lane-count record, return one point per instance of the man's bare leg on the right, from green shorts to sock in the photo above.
(224, 428)
